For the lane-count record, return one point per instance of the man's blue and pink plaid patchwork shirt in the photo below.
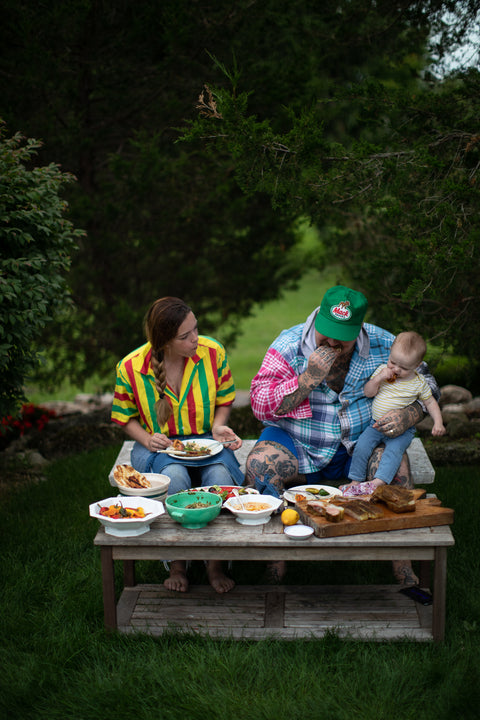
(325, 418)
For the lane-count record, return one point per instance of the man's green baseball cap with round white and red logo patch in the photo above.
(341, 313)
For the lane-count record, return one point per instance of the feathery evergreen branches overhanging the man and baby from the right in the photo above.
(396, 203)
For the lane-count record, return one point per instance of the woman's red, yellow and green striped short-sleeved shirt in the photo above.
(206, 384)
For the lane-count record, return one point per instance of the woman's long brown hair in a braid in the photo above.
(161, 325)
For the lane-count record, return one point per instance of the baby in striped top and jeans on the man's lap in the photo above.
(392, 386)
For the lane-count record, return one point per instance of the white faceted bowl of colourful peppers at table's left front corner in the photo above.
(128, 527)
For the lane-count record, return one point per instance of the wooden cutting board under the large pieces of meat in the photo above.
(428, 512)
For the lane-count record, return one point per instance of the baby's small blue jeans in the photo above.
(391, 456)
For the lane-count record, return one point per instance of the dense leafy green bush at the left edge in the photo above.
(36, 241)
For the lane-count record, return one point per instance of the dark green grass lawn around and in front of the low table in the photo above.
(57, 662)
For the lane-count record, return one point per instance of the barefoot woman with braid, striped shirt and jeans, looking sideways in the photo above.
(178, 385)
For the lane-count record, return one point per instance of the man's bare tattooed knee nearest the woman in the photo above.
(270, 466)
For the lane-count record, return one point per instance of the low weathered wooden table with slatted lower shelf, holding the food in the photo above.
(362, 611)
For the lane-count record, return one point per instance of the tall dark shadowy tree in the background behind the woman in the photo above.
(109, 87)
